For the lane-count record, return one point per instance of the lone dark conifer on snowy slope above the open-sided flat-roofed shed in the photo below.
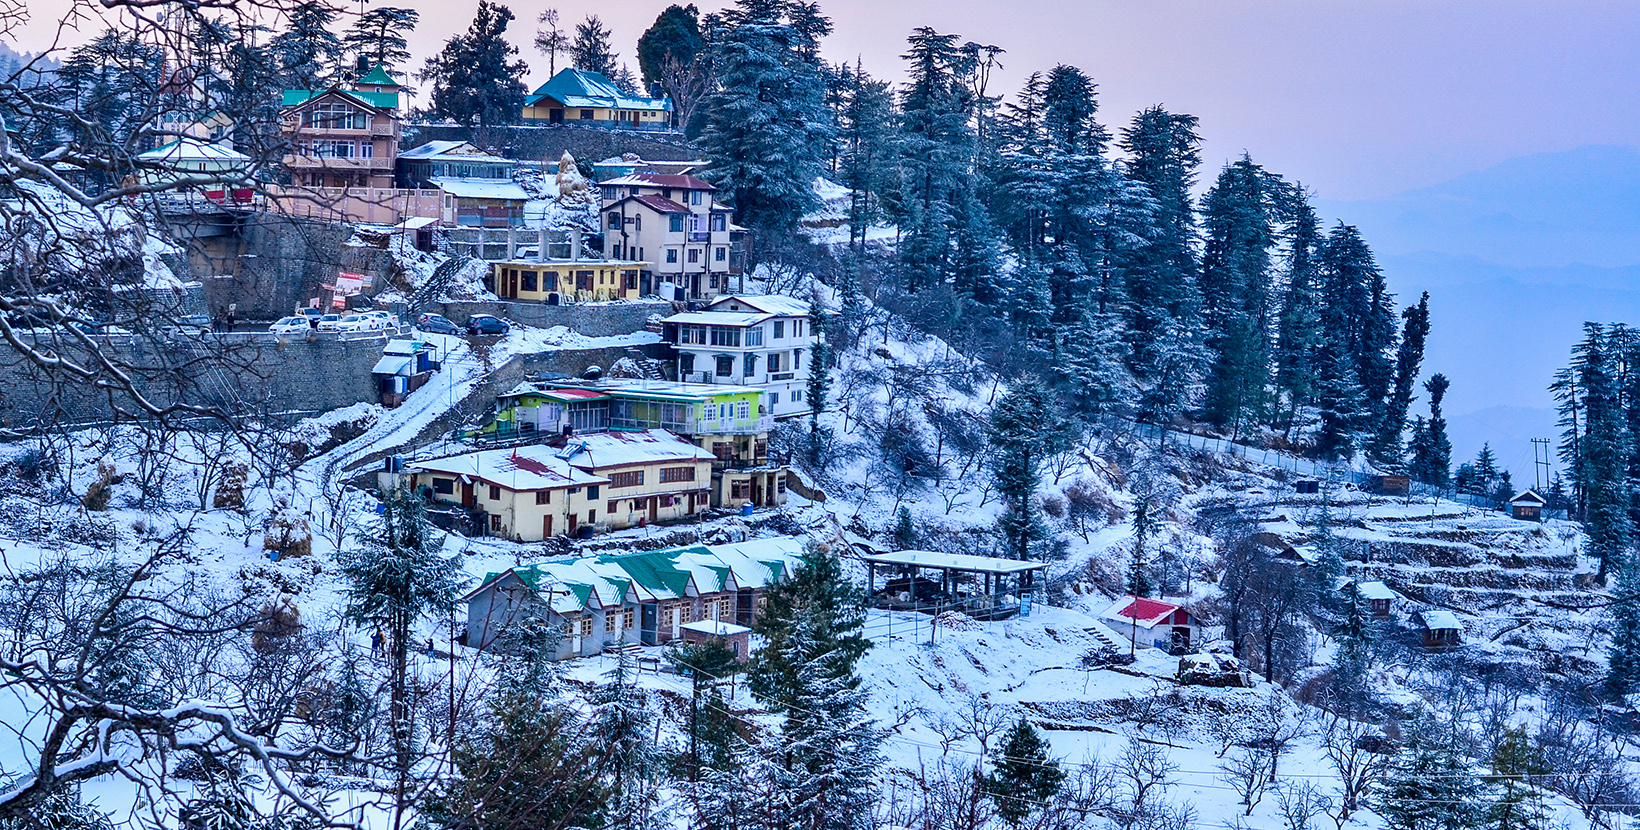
(1021, 429)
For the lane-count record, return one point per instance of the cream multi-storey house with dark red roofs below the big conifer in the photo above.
(673, 222)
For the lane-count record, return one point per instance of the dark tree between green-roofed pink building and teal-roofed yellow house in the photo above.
(476, 78)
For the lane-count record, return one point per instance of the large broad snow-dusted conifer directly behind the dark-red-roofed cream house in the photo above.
(767, 127)
